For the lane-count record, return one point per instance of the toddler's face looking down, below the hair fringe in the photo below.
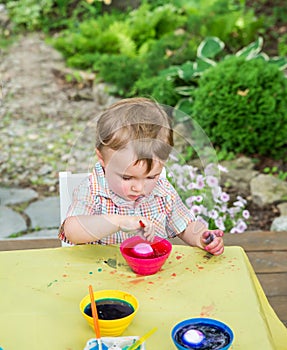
(127, 179)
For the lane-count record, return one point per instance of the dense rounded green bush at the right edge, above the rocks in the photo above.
(242, 106)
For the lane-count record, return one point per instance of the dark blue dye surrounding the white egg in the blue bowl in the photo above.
(215, 337)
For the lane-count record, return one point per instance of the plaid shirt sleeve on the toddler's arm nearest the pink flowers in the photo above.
(178, 215)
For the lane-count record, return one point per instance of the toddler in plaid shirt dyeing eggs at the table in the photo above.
(126, 192)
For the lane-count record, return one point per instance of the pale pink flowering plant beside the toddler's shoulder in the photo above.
(205, 198)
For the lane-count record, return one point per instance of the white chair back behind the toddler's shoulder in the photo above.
(68, 182)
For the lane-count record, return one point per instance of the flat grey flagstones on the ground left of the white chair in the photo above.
(24, 215)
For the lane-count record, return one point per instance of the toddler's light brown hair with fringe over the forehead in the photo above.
(136, 119)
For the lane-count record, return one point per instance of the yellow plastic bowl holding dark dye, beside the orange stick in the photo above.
(111, 328)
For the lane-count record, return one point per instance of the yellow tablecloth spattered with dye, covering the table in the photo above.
(41, 290)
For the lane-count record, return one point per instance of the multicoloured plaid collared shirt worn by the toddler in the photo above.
(163, 206)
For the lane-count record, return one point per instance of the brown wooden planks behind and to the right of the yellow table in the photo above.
(267, 252)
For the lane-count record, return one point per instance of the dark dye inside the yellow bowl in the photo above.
(110, 309)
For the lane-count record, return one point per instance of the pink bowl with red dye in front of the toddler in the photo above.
(146, 265)
